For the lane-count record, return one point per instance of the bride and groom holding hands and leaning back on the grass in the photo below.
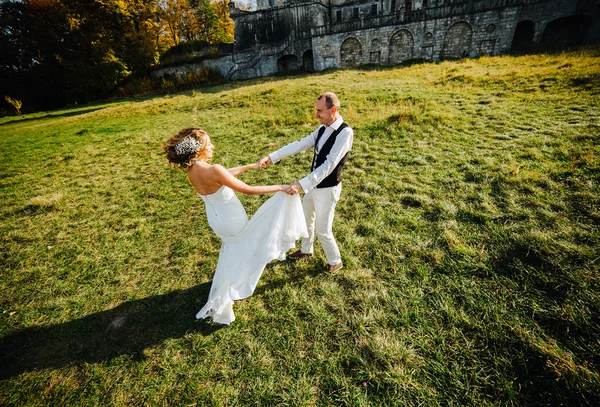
(248, 245)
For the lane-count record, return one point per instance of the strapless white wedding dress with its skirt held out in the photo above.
(248, 245)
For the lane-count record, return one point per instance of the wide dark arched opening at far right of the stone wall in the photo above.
(566, 31)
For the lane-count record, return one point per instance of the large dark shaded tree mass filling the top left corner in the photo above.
(75, 51)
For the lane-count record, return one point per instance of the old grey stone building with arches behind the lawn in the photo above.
(290, 35)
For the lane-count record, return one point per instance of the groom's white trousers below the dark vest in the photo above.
(319, 208)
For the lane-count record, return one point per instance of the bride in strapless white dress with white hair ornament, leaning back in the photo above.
(247, 245)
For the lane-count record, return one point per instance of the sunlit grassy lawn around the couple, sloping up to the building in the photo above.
(469, 226)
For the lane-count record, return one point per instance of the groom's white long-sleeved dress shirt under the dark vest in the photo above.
(343, 144)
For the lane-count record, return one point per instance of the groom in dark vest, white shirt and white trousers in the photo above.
(332, 142)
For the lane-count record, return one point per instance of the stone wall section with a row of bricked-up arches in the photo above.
(487, 33)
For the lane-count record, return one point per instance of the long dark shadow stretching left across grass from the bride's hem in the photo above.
(127, 329)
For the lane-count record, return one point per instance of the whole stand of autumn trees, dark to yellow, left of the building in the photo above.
(56, 52)
